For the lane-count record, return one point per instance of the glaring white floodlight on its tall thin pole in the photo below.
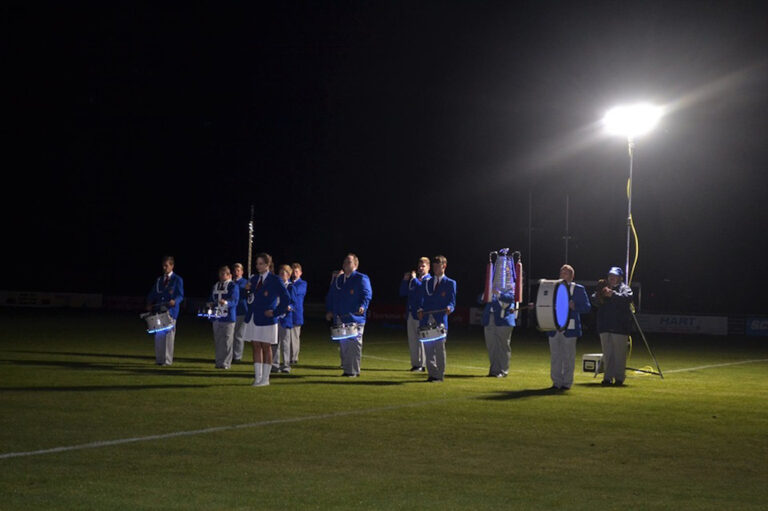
(631, 121)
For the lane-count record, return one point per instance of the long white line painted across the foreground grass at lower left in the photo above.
(120, 441)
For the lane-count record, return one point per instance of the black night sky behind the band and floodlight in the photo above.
(390, 129)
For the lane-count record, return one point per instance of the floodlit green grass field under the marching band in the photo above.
(193, 437)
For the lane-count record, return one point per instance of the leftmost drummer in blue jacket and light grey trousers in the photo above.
(166, 294)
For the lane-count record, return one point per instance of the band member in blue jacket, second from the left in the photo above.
(224, 296)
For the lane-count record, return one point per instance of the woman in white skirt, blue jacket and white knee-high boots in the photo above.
(267, 300)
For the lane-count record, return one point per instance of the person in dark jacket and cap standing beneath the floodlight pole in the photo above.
(614, 323)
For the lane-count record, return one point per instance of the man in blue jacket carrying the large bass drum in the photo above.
(562, 345)
